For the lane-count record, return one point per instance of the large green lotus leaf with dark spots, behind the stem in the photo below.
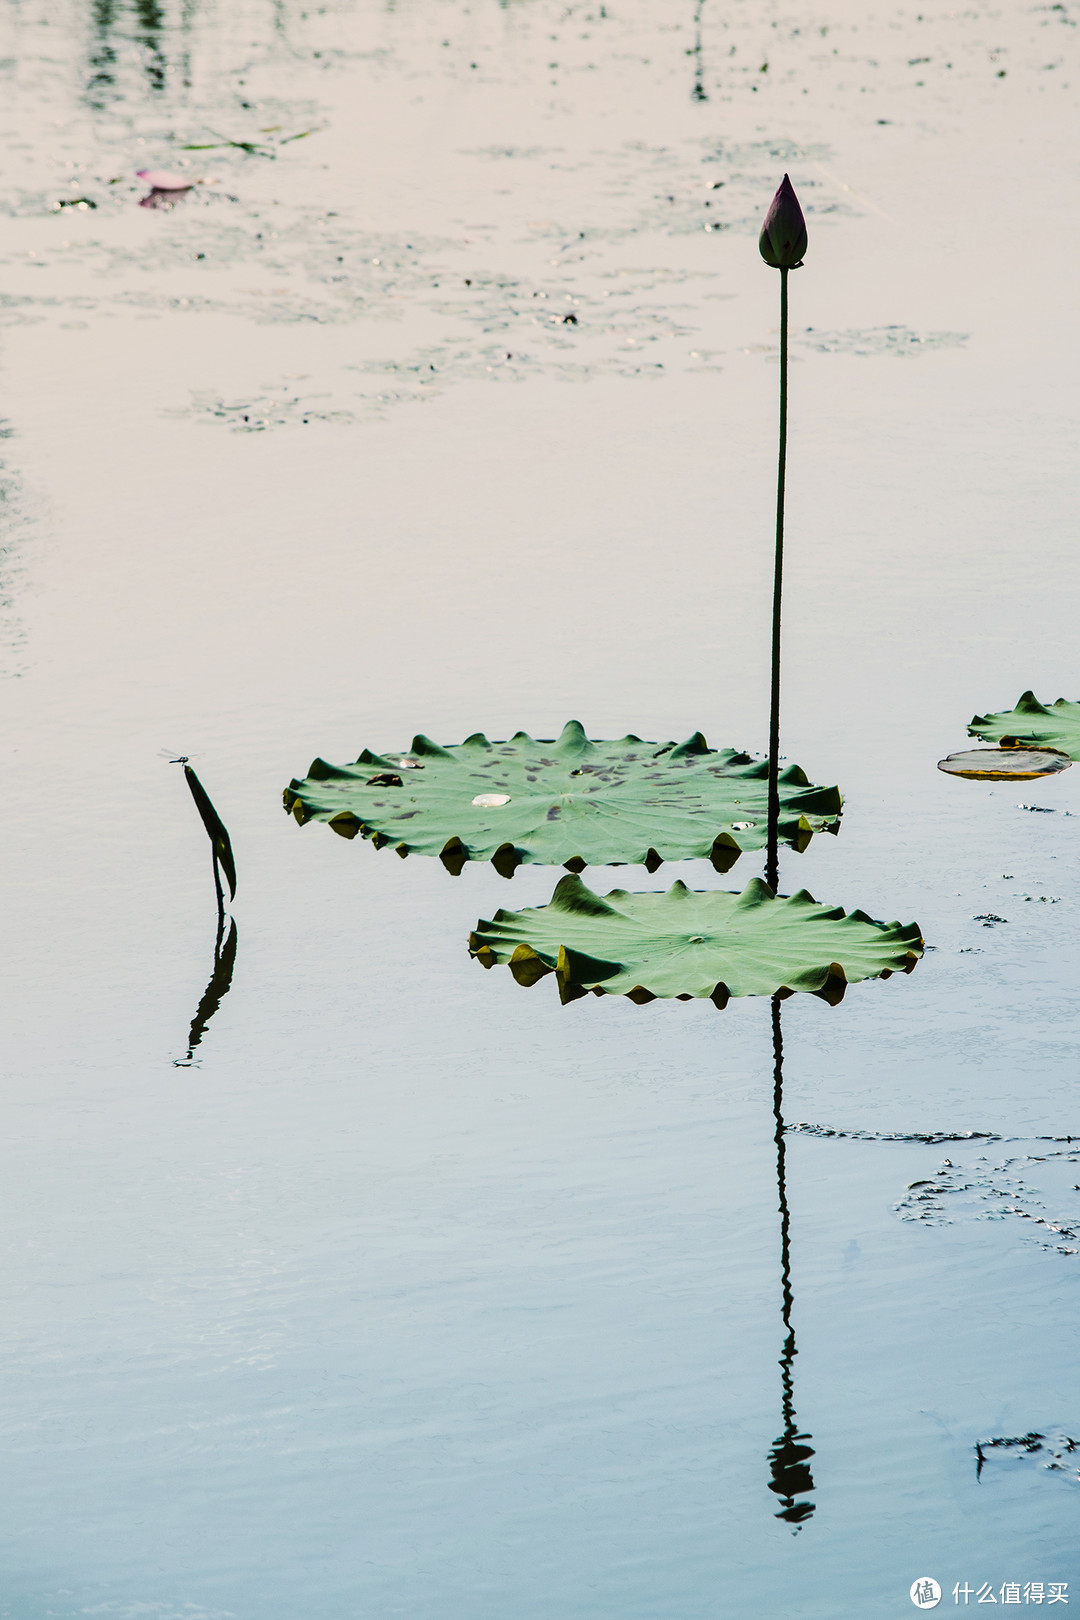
(571, 803)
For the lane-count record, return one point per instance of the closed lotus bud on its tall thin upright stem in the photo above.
(783, 245)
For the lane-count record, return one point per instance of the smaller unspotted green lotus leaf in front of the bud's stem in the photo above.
(694, 944)
